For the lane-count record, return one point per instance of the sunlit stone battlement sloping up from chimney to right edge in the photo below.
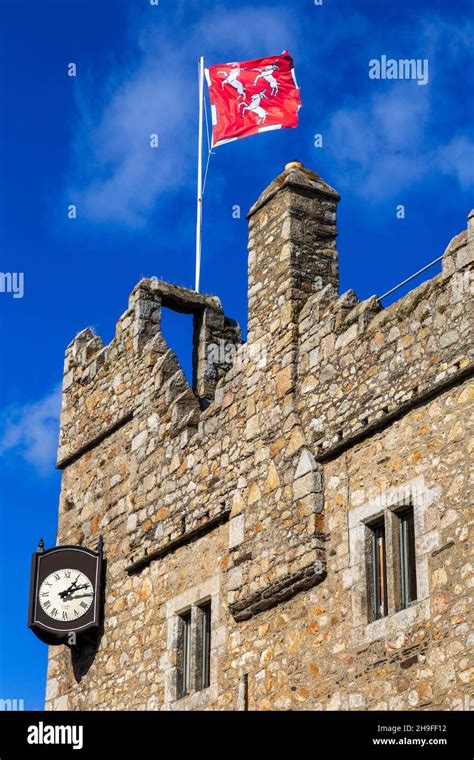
(360, 365)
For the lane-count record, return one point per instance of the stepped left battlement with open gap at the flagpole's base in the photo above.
(104, 386)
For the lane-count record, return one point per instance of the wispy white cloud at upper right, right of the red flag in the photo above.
(389, 141)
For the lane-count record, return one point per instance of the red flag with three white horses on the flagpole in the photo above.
(252, 96)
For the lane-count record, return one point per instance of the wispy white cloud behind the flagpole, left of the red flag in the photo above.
(117, 177)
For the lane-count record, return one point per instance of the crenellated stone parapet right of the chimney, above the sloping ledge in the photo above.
(376, 358)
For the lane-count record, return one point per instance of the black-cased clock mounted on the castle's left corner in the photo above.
(65, 592)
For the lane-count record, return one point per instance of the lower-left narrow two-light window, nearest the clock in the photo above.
(194, 650)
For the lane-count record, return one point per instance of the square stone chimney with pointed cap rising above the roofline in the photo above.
(292, 248)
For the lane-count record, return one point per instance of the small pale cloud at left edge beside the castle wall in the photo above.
(31, 431)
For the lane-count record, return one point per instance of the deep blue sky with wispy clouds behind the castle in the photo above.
(85, 141)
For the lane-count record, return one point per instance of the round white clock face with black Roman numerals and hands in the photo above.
(66, 595)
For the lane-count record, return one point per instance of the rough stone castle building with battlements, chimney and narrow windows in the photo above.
(291, 532)
